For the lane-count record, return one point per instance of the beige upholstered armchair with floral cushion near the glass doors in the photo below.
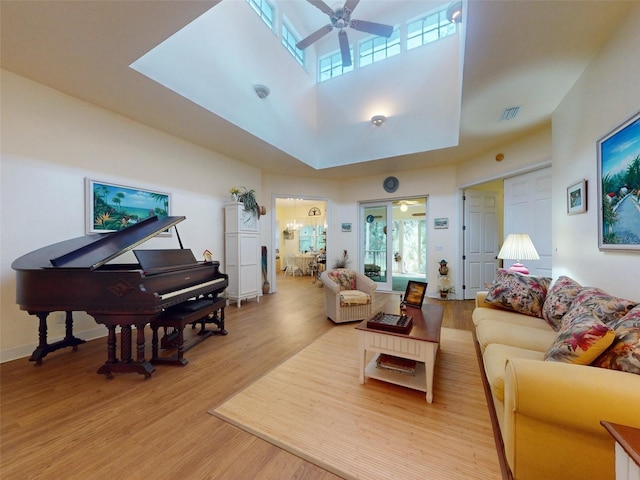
(348, 294)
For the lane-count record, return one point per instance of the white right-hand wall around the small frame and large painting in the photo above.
(606, 94)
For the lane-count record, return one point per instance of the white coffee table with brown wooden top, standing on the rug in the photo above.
(420, 344)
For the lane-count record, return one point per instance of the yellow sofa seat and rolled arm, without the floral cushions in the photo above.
(548, 412)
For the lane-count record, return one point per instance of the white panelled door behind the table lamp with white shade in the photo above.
(527, 209)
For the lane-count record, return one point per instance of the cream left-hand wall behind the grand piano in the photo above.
(50, 143)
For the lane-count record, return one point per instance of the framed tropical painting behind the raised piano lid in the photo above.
(111, 207)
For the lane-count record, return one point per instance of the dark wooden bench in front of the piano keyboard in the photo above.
(204, 310)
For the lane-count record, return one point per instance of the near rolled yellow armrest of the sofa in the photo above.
(552, 414)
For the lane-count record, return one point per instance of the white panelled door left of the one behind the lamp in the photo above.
(480, 240)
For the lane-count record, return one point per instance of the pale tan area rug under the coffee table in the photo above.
(313, 406)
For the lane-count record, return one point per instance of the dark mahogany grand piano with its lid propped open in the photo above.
(75, 275)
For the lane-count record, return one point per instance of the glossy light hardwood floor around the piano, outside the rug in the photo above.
(62, 420)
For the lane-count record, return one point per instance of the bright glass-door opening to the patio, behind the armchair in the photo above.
(394, 242)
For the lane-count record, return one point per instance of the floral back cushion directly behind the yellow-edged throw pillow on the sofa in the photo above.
(604, 306)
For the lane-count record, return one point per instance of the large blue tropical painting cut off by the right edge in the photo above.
(619, 187)
